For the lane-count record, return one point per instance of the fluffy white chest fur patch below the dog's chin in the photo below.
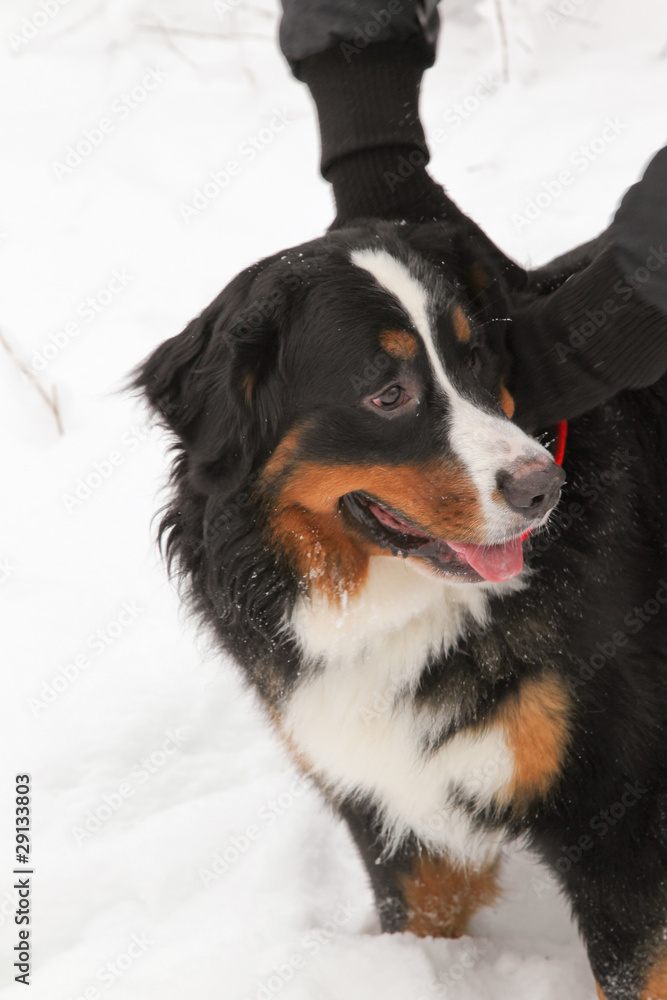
(354, 718)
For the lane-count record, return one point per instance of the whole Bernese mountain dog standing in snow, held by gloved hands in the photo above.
(461, 647)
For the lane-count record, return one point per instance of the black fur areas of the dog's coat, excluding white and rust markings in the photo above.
(300, 325)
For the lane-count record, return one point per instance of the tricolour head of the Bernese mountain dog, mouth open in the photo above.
(354, 387)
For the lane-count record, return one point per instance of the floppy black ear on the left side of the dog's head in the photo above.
(218, 386)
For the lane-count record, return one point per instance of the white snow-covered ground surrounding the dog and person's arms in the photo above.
(176, 854)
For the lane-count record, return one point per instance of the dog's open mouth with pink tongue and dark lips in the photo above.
(470, 563)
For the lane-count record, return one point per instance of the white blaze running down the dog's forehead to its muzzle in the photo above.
(485, 443)
